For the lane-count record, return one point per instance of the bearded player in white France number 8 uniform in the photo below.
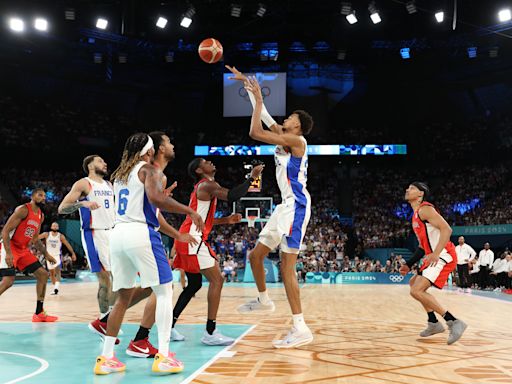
(94, 198)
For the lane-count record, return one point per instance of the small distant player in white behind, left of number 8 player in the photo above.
(54, 240)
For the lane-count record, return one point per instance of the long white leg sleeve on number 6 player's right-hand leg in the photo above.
(163, 316)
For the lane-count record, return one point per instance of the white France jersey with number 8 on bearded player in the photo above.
(103, 217)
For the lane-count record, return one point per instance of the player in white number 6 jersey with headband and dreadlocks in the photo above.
(136, 248)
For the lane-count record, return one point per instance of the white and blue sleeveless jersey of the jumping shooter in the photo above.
(292, 174)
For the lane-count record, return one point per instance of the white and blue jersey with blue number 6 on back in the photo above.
(132, 204)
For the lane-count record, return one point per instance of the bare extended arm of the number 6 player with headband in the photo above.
(152, 179)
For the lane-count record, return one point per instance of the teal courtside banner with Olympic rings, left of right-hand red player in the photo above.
(356, 278)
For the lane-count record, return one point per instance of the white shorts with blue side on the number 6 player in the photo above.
(136, 248)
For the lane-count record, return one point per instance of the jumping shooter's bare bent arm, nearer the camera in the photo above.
(258, 133)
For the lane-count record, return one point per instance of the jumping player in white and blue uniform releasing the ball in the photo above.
(287, 225)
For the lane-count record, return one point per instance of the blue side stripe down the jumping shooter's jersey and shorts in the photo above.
(301, 201)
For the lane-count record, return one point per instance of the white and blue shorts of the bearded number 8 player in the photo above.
(97, 250)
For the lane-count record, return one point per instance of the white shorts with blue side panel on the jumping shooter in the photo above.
(286, 227)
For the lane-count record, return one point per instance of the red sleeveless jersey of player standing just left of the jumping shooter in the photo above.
(207, 211)
